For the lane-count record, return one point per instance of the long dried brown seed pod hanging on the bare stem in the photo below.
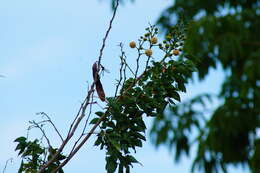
(98, 84)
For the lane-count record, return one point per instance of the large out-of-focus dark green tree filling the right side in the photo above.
(232, 40)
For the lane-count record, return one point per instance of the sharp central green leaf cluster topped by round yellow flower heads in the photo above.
(123, 128)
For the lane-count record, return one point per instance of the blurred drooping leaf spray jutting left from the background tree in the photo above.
(178, 123)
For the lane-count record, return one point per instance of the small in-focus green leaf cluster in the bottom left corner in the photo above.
(34, 155)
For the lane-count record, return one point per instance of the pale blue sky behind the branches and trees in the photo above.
(47, 50)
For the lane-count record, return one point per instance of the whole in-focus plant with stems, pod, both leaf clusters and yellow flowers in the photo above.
(146, 92)
